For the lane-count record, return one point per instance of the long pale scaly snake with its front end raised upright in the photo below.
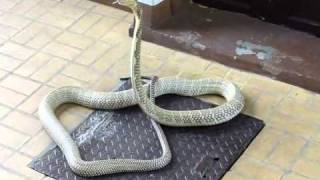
(142, 94)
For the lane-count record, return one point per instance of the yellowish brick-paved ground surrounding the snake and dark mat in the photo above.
(46, 44)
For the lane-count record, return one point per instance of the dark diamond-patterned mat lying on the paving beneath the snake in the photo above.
(198, 152)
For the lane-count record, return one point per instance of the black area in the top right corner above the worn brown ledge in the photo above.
(298, 14)
